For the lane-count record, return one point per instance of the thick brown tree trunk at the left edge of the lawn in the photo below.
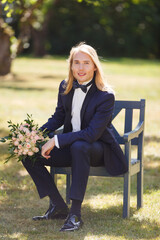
(5, 54)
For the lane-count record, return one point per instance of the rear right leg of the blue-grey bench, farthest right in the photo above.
(140, 189)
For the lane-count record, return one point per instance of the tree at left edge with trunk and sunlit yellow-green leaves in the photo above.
(25, 11)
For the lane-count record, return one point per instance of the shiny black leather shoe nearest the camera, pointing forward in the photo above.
(72, 223)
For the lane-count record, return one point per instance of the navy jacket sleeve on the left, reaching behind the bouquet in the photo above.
(57, 119)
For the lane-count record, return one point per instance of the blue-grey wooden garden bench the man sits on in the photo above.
(129, 137)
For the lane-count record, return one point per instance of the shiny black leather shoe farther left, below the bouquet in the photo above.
(53, 212)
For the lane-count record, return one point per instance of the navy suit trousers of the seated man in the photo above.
(79, 156)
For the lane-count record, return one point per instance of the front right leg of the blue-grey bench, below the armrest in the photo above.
(126, 196)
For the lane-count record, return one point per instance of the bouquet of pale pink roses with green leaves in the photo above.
(25, 140)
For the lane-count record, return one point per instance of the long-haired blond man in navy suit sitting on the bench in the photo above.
(85, 105)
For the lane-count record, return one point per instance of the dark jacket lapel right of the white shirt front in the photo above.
(87, 99)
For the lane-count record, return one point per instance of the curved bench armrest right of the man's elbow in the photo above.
(134, 133)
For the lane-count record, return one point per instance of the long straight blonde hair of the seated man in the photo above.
(99, 76)
